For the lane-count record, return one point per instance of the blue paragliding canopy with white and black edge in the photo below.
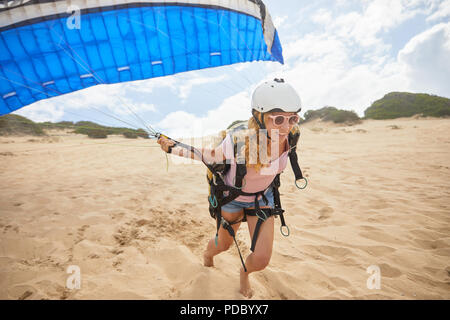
(49, 48)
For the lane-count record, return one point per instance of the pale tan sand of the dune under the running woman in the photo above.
(378, 195)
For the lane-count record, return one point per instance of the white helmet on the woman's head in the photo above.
(276, 95)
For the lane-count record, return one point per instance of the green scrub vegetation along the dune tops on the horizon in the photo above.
(391, 106)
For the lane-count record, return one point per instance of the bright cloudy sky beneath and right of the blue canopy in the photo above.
(341, 53)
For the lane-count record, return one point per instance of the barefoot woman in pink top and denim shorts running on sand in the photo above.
(275, 105)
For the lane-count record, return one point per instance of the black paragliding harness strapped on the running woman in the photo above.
(219, 197)
